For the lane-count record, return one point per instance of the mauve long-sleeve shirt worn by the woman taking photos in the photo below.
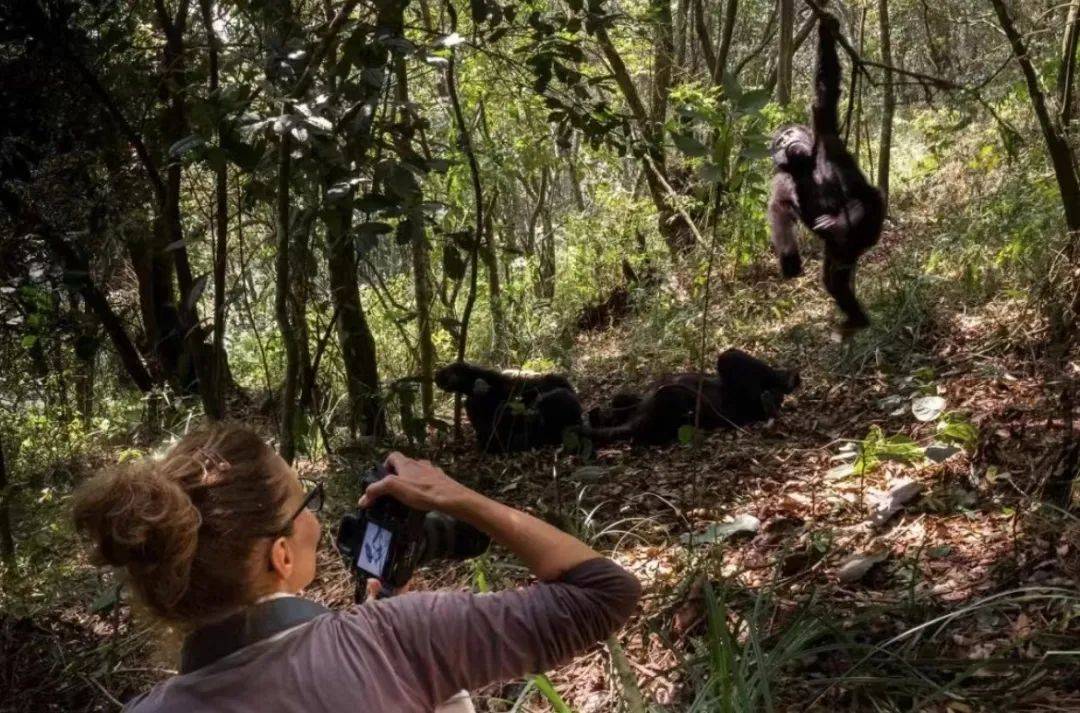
(409, 653)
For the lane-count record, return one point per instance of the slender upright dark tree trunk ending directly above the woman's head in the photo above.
(221, 211)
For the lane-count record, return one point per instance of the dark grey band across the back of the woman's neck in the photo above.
(254, 624)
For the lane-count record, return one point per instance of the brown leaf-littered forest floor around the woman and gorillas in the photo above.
(969, 602)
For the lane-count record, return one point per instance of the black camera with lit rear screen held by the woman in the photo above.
(389, 541)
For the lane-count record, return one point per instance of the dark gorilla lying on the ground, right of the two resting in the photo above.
(746, 391)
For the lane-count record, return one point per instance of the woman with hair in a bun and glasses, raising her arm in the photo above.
(220, 536)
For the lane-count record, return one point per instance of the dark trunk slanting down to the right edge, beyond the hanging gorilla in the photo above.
(1058, 147)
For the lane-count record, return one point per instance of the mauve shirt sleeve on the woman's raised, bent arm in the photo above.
(438, 643)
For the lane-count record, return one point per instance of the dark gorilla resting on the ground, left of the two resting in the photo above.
(514, 412)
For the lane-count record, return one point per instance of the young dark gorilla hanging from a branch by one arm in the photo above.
(819, 183)
